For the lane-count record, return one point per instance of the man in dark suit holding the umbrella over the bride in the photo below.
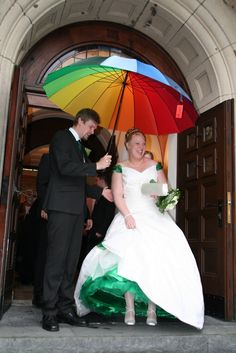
(65, 204)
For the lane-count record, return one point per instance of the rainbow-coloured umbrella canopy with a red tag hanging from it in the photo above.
(125, 92)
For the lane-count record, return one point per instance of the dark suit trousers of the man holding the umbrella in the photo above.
(64, 243)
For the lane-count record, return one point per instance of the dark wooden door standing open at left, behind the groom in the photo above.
(9, 208)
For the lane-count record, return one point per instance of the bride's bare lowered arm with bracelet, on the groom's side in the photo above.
(118, 194)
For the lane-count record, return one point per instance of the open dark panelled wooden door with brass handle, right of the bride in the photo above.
(205, 173)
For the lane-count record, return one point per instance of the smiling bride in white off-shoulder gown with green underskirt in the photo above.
(144, 266)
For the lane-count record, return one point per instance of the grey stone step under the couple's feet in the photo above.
(21, 332)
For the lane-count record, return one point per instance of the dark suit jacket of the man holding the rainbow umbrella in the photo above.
(67, 184)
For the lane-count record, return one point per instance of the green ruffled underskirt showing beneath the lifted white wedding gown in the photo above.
(105, 295)
